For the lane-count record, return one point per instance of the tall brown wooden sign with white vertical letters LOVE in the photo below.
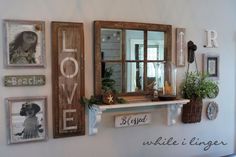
(68, 79)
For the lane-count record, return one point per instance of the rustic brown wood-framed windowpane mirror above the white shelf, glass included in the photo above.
(130, 56)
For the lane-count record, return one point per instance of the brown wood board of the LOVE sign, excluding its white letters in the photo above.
(59, 100)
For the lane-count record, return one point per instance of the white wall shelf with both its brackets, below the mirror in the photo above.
(173, 110)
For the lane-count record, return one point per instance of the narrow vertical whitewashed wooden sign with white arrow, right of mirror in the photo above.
(180, 47)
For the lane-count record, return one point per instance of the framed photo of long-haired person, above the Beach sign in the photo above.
(24, 43)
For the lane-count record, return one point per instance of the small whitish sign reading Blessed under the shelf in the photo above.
(129, 120)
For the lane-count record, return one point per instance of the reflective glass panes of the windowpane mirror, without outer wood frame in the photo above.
(111, 54)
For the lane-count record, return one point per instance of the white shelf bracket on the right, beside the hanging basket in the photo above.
(173, 111)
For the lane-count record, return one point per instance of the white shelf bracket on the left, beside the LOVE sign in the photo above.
(95, 117)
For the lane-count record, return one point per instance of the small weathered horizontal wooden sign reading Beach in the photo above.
(24, 80)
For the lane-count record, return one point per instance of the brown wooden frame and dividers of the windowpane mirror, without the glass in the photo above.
(98, 25)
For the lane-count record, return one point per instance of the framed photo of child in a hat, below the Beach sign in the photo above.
(27, 119)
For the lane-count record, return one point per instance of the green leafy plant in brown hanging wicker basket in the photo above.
(196, 87)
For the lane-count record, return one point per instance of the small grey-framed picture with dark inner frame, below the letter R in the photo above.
(211, 66)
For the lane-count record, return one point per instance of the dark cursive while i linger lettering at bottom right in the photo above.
(192, 142)
